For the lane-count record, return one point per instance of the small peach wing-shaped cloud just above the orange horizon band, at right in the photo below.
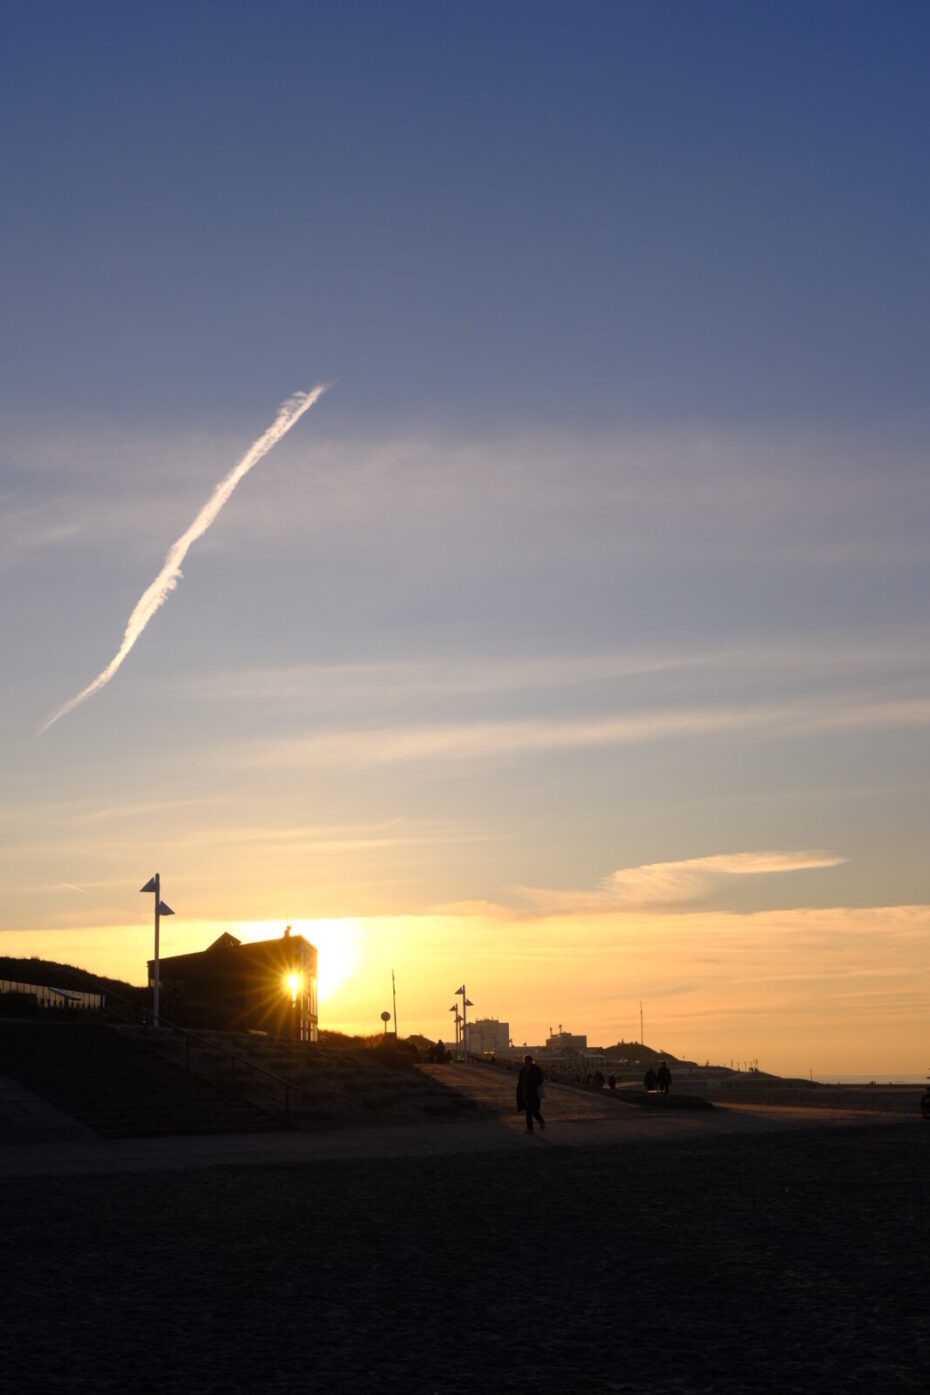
(671, 884)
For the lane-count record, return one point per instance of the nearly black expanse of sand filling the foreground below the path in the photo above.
(782, 1260)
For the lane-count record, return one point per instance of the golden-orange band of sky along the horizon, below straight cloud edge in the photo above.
(826, 991)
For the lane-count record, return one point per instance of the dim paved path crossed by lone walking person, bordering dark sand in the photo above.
(575, 1118)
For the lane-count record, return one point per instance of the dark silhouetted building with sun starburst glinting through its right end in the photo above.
(270, 987)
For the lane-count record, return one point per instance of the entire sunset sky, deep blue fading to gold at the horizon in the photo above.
(574, 645)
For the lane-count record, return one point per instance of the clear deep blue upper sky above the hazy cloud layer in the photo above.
(508, 211)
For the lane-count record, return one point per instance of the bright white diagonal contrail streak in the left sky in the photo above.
(155, 596)
